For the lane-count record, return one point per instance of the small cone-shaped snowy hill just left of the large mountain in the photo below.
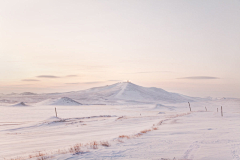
(63, 101)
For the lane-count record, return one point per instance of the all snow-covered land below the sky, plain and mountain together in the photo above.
(132, 126)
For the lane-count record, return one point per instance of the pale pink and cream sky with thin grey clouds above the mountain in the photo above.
(189, 47)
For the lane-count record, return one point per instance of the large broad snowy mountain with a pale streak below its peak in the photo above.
(129, 92)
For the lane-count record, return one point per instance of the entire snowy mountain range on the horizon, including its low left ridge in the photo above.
(118, 93)
